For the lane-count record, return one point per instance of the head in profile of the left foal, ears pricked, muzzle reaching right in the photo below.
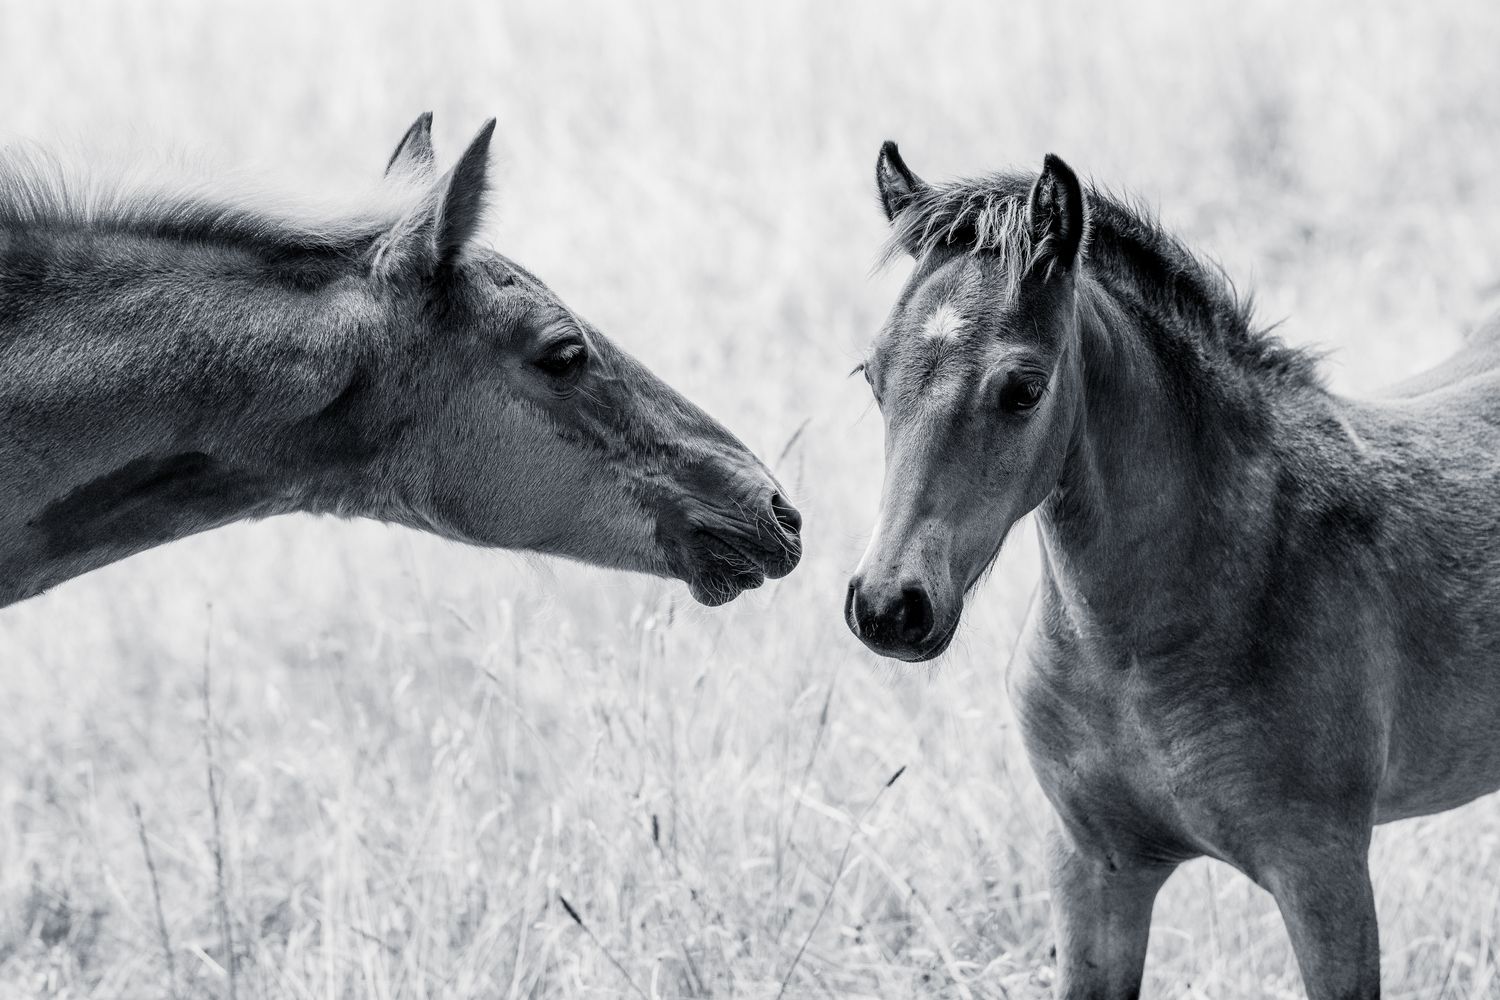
(529, 430)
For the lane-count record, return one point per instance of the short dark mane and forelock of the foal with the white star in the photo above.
(1129, 251)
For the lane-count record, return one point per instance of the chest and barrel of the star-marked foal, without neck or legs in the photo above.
(1375, 602)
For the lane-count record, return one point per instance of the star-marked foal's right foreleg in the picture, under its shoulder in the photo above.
(1330, 909)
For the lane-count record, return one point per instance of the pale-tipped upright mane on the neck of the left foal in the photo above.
(172, 202)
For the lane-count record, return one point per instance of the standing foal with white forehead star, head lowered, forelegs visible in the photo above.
(1267, 615)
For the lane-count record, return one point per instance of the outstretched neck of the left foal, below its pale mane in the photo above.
(175, 389)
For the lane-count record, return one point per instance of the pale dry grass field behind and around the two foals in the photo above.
(421, 750)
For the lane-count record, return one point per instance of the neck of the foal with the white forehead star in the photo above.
(1163, 485)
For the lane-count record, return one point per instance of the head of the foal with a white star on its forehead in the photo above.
(977, 374)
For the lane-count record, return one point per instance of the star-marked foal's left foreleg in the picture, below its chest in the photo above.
(1102, 918)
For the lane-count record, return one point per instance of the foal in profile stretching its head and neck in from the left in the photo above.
(172, 364)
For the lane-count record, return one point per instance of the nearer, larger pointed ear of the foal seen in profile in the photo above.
(433, 236)
